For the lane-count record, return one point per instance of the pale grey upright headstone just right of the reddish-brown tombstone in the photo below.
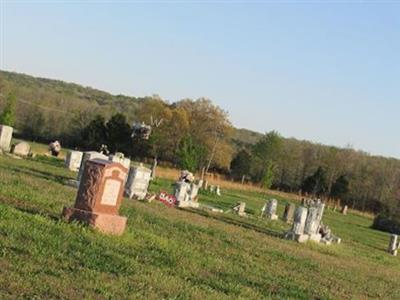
(138, 182)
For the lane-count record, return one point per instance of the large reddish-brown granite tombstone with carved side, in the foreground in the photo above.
(99, 197)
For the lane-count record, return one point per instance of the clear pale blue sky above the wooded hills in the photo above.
(326, 72)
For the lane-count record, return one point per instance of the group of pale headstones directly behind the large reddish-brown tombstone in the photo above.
(138, 178)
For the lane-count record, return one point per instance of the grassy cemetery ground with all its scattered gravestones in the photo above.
(96, 238)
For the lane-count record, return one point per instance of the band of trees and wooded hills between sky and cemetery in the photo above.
(195, 135)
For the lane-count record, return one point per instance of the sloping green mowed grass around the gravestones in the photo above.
(169, 253)
